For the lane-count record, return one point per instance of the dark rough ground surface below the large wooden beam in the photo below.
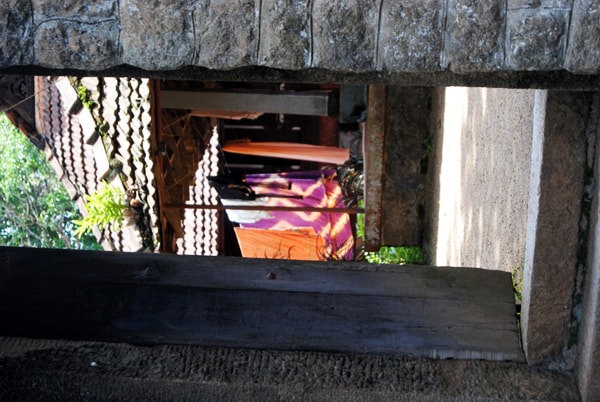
(42, 370)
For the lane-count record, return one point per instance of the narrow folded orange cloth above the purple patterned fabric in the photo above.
(291, 150)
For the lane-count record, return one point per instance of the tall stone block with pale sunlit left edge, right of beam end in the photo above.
(558, 166)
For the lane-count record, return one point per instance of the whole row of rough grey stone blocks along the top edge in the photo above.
(352, 36)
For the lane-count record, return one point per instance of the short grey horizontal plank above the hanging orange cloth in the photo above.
(312, 103)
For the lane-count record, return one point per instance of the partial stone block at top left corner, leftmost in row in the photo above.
(16, 41)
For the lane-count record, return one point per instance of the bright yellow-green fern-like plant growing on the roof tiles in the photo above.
(105, 209)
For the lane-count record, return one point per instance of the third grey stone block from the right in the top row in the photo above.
(474, 36)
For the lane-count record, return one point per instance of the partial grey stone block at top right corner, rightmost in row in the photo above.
(583, 54)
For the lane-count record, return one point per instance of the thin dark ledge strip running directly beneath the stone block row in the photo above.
(562, 80)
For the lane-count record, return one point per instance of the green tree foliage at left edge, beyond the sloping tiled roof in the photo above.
(35, 209)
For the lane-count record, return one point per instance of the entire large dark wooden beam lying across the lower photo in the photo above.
(150, 298)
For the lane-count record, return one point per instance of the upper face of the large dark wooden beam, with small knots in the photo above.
(260, 274)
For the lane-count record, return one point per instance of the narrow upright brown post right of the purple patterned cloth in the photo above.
(374, 164)
